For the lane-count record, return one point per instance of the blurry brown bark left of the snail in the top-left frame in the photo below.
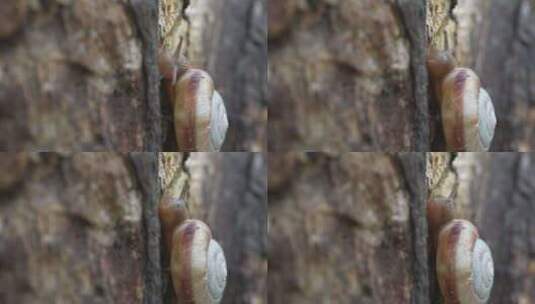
(79, 75)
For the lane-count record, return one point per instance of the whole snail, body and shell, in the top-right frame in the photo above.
(468, 115)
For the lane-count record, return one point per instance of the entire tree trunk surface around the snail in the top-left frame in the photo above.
(82, 75)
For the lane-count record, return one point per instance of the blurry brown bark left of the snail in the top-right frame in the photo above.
(347, 76)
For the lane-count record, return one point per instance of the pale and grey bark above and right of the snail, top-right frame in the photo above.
(495, 39)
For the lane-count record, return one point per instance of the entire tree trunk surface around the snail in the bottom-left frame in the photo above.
(83, 228)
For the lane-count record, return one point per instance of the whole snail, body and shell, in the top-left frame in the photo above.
(200, 117)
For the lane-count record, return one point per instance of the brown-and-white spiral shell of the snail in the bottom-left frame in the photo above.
(198, 265)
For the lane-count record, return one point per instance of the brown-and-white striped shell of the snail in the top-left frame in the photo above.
(199, 112)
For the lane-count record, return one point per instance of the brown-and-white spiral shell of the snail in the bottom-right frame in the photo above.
(464, 264)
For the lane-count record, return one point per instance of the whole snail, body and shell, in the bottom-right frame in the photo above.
(463, 262)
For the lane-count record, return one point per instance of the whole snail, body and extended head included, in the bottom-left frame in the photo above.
(198, 266)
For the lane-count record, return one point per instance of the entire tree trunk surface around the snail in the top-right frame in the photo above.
(350, 76)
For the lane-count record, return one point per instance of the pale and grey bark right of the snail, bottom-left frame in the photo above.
(228, 192)
